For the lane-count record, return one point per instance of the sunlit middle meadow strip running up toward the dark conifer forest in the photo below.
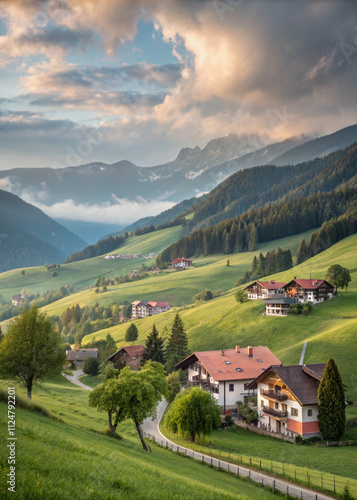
(178, 287)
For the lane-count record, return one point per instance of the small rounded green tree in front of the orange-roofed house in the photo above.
(194, 411)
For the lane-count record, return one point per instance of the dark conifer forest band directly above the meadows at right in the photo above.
(283, 219)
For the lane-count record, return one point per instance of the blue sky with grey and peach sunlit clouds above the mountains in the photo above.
(83, 80)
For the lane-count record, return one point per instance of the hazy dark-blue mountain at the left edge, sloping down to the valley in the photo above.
(28, 237)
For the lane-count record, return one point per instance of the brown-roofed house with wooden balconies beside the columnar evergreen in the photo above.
(287, 399)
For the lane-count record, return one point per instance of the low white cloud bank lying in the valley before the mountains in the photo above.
(123, 211)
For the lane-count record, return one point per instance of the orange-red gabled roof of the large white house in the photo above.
(224, 367)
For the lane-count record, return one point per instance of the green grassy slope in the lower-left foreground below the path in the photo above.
(61, 459)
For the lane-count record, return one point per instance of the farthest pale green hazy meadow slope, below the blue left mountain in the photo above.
(84, 273)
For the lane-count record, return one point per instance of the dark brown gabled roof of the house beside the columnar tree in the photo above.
(302, 380)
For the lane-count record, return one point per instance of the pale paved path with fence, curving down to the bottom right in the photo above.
(151, 430)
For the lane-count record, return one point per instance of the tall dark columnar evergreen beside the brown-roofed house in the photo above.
(331, 403)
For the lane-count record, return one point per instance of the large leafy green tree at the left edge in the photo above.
(31, 349)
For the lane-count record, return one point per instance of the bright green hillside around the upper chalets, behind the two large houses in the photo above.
(222, 323)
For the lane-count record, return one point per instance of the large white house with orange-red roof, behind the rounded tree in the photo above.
(227, 373)
